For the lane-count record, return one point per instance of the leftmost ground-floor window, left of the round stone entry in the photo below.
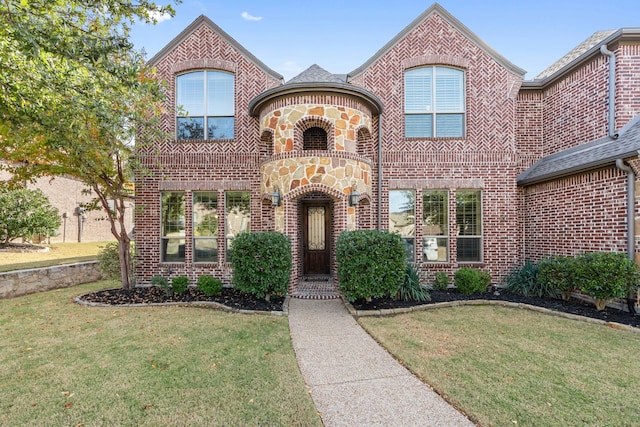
(172, 208)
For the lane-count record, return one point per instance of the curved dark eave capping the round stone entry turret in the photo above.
(259, 102)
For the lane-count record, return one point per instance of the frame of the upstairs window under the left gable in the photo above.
(207, 116)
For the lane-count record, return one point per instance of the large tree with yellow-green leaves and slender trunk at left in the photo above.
(75, 95)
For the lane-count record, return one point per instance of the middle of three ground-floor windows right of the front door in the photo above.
(435, 225)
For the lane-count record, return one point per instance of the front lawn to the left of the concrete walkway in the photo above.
(64, 364)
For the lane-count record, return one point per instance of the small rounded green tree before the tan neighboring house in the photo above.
(25, 213)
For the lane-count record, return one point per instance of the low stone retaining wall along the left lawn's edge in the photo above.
(22, 282)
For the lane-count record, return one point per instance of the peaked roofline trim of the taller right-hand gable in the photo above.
(442, 12)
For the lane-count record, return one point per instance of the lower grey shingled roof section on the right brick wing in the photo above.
(595, 154)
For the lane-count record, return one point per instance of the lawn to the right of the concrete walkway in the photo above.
(505, 367)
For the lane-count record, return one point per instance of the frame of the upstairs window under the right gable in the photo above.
(432, 110)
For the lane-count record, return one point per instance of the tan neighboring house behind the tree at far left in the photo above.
(69, 196)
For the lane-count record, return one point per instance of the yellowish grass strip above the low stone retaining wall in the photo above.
(59, 253)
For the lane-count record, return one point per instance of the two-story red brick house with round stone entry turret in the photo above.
(437, 137)
